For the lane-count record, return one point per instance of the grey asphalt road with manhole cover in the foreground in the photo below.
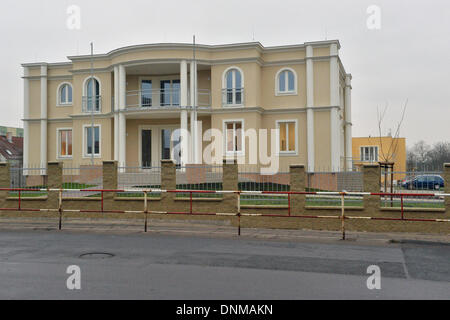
(33, 265)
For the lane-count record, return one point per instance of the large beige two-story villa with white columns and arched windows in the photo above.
(125, 105)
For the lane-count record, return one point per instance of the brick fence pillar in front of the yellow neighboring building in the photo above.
(371, 183)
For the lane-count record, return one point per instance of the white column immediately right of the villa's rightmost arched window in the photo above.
(309, 108)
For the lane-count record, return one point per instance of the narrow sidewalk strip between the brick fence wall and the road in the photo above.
(208, 229)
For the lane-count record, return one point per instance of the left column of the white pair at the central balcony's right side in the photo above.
(184, 113)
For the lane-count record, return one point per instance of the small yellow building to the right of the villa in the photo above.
(385, 149)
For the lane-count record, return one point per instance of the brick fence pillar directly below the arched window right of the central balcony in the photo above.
(230, 183)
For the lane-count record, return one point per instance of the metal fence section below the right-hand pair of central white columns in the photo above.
(199, 177)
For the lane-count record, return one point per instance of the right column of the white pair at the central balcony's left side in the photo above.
(122, 117)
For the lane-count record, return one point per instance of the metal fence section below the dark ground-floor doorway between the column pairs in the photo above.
(138, 178)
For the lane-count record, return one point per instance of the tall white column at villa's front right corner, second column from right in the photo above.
(334, 114)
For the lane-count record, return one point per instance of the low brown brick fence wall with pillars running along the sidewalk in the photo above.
(228, 205)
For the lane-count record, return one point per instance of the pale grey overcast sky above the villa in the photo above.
(407, 58)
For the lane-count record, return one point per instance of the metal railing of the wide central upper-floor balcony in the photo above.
(163, 98)
